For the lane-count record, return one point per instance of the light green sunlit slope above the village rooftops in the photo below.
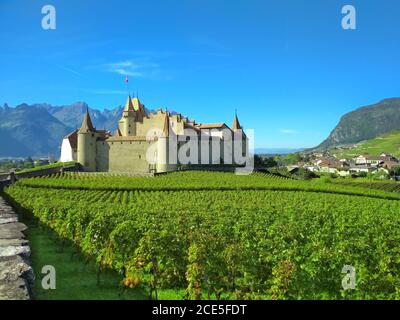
(389, 143)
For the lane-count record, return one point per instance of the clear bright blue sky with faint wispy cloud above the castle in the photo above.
(287, 66)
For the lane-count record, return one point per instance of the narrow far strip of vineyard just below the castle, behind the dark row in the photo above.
(197, 181)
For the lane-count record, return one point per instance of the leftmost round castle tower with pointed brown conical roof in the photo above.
(87, 144)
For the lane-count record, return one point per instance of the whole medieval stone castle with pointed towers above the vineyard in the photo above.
(152, 143)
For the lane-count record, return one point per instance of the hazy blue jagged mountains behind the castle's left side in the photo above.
(37, 130)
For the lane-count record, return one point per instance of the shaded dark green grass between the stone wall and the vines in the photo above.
(76, 278)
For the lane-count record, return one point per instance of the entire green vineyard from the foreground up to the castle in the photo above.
(223, 236)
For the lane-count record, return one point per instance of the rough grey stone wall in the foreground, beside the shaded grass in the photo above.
(16, 275)
